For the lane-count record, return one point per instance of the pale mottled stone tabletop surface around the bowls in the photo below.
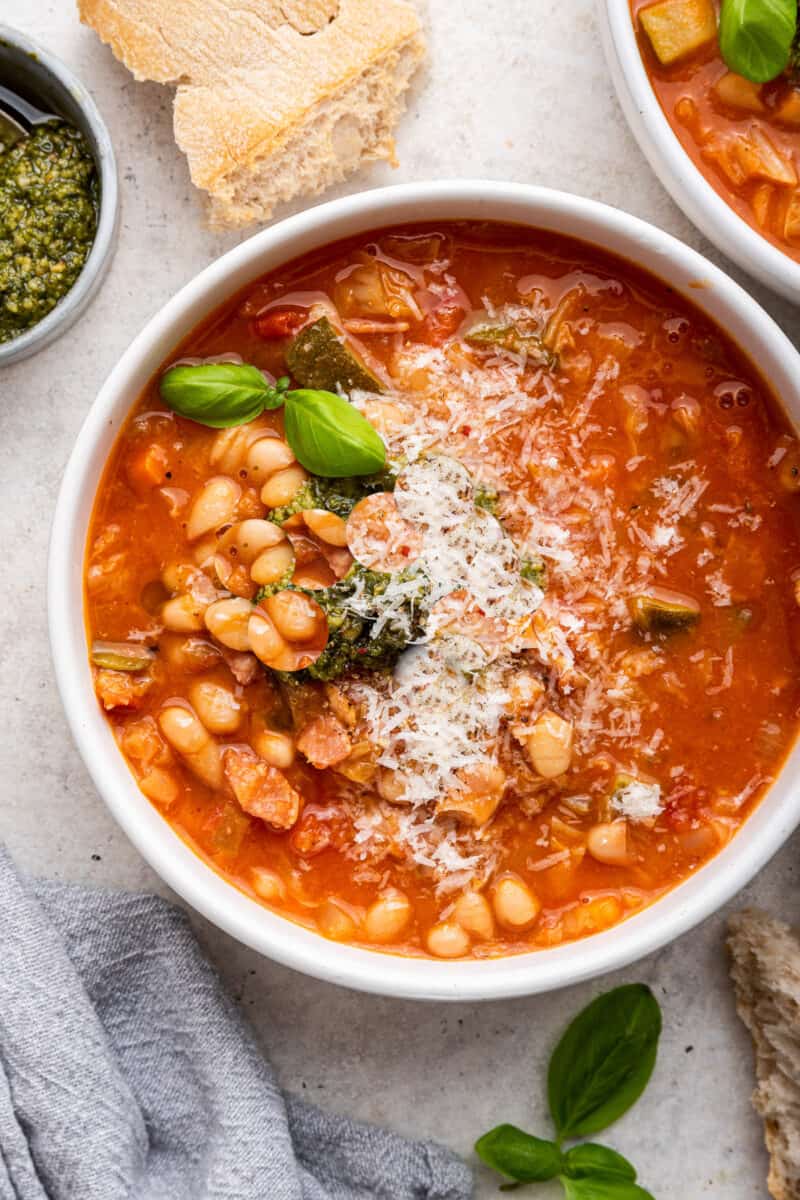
(515, 89)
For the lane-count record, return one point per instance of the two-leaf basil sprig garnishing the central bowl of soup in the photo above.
(327, 434)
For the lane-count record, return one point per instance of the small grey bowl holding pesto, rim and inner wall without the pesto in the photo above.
(37, 74)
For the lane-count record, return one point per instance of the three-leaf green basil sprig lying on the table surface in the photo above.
(598, 1071)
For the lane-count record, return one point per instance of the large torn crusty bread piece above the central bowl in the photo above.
(274, 100)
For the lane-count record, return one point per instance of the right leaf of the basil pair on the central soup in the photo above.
(330, 437)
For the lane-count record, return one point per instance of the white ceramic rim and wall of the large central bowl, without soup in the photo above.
(202, 887)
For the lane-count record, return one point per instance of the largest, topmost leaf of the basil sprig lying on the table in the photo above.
(604, 1061)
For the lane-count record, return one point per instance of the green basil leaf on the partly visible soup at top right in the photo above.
(756, 37)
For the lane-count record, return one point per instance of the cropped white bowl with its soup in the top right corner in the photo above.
(725, 146)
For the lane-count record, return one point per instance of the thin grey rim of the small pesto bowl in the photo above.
(82, 292)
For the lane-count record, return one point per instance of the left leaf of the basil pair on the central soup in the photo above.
(218, 394)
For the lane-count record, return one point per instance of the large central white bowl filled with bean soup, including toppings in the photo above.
(441, 590)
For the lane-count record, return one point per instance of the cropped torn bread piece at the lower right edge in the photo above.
(766, 970)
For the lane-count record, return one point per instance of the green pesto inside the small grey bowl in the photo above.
(49, 219)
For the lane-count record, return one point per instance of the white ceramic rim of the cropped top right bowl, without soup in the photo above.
(687, 185)
